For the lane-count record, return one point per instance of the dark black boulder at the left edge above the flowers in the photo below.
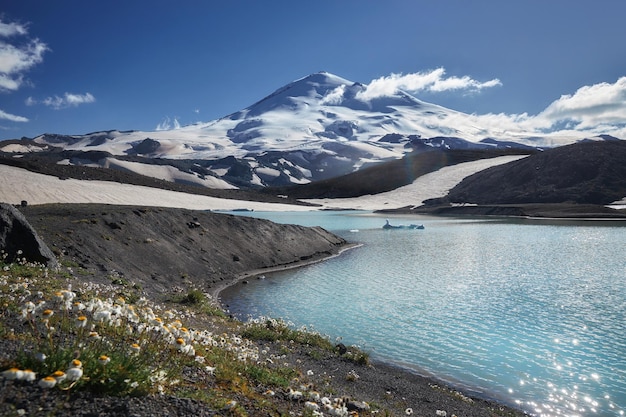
(18, 239)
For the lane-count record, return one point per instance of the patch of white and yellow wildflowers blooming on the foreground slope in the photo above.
(88, 337)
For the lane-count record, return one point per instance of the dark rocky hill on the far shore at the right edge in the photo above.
(581, 173)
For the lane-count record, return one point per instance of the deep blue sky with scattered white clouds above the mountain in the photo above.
(73, 67)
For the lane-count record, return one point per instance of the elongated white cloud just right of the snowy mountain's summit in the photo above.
(430, 81)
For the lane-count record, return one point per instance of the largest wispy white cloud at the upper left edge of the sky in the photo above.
(15, 59)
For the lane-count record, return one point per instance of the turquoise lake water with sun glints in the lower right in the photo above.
(530, 313)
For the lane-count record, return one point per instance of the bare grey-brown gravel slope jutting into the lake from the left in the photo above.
(160, 250)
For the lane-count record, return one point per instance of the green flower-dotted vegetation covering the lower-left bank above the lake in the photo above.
(74, 336)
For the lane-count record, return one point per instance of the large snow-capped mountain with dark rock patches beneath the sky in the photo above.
(313, 128)
